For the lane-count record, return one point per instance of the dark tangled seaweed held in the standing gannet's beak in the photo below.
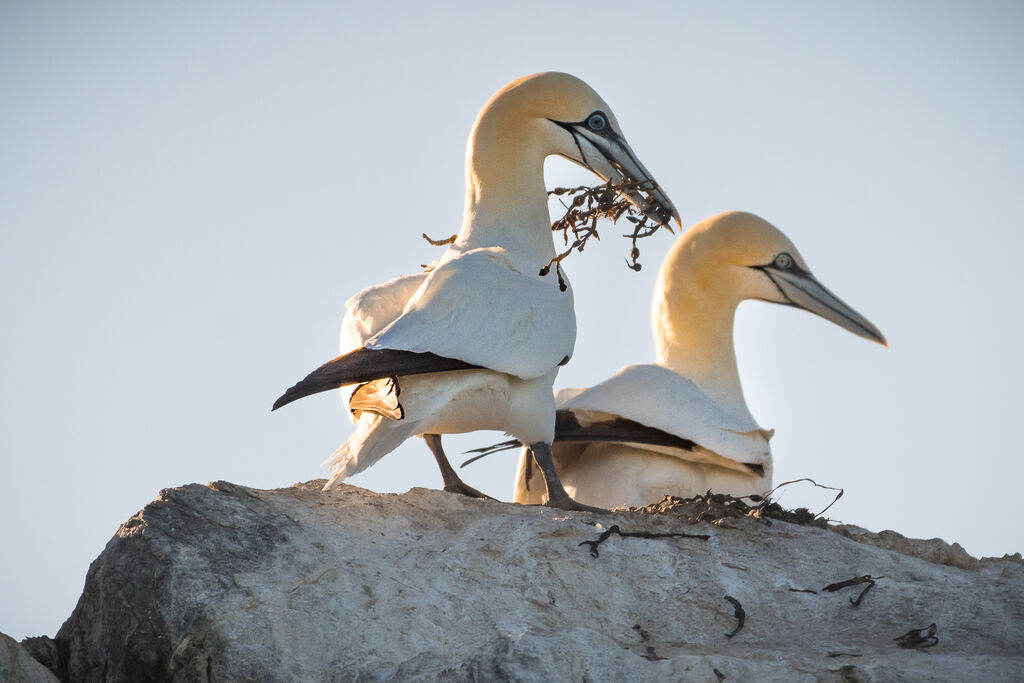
(590, 204)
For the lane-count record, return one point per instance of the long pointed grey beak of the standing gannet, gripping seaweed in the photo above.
(611, 157)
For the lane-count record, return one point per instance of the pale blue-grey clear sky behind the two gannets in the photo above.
(190, 193)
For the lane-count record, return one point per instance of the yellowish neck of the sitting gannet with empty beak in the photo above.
(693, 323)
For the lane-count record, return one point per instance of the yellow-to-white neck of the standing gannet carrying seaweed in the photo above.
(506, 198)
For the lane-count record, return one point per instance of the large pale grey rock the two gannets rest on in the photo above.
(228, 583)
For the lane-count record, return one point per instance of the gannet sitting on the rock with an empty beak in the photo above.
(681, 426)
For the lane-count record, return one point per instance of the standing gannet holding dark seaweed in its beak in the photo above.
(477, 343)
